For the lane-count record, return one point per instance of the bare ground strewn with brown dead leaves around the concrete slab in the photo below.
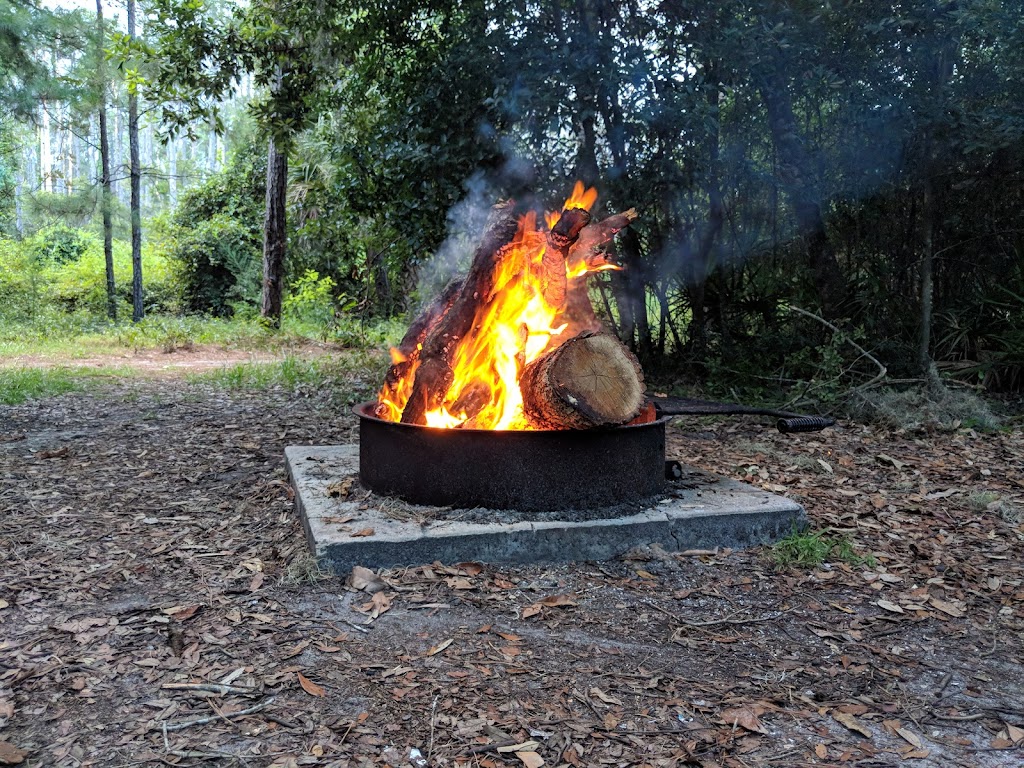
(157, 608)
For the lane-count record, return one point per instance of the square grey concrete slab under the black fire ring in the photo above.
(347, 528)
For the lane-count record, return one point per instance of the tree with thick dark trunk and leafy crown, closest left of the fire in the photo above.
(292, 50)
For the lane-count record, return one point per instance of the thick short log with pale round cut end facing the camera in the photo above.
(592, 380)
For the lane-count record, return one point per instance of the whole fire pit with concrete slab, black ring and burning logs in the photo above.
(509, 396)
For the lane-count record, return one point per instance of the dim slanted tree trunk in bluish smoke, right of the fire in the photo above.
(795, 173)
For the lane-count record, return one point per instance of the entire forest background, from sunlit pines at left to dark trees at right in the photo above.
(831, 194)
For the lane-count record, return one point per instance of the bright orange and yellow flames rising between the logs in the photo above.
(511, 329)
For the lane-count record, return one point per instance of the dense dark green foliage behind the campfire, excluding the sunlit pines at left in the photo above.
(860, 161)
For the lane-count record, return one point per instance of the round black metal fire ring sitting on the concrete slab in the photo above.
(529, 471)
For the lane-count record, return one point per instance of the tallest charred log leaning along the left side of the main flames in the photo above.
(435, 375)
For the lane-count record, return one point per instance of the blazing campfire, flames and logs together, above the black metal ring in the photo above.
(517, 345)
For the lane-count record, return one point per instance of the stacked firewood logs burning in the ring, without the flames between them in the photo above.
(584, 378)
